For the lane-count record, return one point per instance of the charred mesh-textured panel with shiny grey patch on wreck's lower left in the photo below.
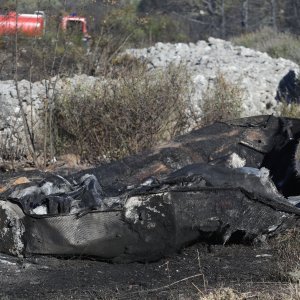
(101, 234)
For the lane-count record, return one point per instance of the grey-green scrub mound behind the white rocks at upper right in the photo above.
(276, 44)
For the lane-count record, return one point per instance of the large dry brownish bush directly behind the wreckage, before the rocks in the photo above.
(122, 116)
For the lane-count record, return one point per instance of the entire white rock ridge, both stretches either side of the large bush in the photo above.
(257, 73)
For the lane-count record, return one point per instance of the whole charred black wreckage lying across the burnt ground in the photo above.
(234, 181)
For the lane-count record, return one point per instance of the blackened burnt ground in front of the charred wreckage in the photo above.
(200, 267)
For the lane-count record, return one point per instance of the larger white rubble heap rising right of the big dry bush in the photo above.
(257, 73)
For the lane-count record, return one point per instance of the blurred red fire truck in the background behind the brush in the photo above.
(33, 25)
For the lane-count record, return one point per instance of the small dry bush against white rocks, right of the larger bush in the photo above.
(221, 101)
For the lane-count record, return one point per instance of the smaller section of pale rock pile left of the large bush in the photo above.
(33, 97)
